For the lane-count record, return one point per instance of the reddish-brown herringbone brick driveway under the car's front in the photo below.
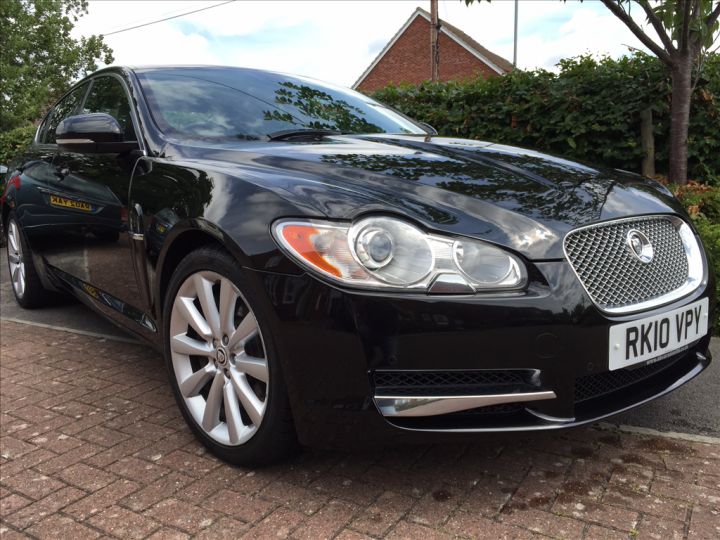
(94, 446)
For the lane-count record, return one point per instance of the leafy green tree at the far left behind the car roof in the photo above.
(38, 58)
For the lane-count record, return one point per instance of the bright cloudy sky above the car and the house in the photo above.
(336, 41)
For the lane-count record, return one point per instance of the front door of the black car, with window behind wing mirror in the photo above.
(93, 189)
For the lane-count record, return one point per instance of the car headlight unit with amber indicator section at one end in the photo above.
(383, 252)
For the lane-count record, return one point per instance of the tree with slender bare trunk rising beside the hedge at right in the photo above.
(687, 31)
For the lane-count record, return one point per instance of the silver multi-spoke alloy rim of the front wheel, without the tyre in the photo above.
(224, 387)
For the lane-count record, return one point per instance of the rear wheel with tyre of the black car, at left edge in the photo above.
(27, 287)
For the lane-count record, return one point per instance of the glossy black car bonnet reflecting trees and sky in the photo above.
(518, 198)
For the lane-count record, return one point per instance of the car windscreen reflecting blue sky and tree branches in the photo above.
(226, 103)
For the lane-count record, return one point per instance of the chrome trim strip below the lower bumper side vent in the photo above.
(435, 405)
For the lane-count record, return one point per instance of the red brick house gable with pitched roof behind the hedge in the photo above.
(407, 56)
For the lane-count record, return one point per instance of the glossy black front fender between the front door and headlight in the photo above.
(177, 207)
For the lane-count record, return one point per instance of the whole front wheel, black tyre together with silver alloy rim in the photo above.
(218, 350)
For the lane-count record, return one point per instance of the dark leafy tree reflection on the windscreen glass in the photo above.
(331, 114)
